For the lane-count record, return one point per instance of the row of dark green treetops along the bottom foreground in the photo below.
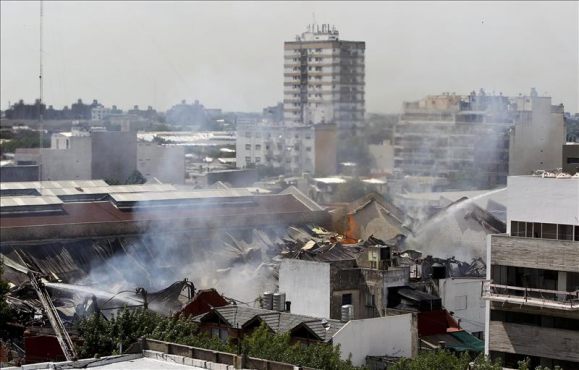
(104, 337)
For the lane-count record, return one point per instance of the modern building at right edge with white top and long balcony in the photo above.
(532, 290)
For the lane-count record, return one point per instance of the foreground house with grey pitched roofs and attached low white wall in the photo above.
(390, 336)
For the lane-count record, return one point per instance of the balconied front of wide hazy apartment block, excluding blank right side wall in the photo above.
(450, 136)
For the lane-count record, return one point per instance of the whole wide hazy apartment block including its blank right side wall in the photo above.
(478, 139)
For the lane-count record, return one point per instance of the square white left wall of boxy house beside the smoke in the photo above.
(307, 286)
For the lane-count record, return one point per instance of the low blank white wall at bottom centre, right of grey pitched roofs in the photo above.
(382, 336)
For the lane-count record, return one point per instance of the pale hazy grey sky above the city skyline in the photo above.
(230, 54)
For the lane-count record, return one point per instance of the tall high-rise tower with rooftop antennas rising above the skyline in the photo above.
(324, 79)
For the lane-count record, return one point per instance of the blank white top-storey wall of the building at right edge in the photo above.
(545, 200)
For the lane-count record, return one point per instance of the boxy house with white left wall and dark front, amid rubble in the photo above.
(321, 280)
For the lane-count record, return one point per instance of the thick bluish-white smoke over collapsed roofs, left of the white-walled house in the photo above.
(237, 263)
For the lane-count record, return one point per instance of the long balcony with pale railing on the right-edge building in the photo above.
(544, 298)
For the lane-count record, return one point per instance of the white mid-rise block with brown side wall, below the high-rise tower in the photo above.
(293, 149)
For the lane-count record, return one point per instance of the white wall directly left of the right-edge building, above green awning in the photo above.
(463, 297)
